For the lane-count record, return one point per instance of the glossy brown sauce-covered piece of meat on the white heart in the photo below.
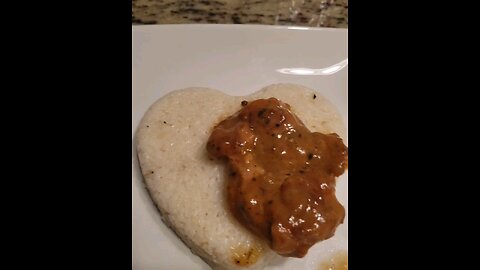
(282, 176)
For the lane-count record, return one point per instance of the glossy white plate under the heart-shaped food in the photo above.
(239, 60)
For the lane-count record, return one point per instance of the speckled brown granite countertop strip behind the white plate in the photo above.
(323, 13)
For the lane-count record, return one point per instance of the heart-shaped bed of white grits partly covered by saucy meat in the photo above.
(190, 188)
